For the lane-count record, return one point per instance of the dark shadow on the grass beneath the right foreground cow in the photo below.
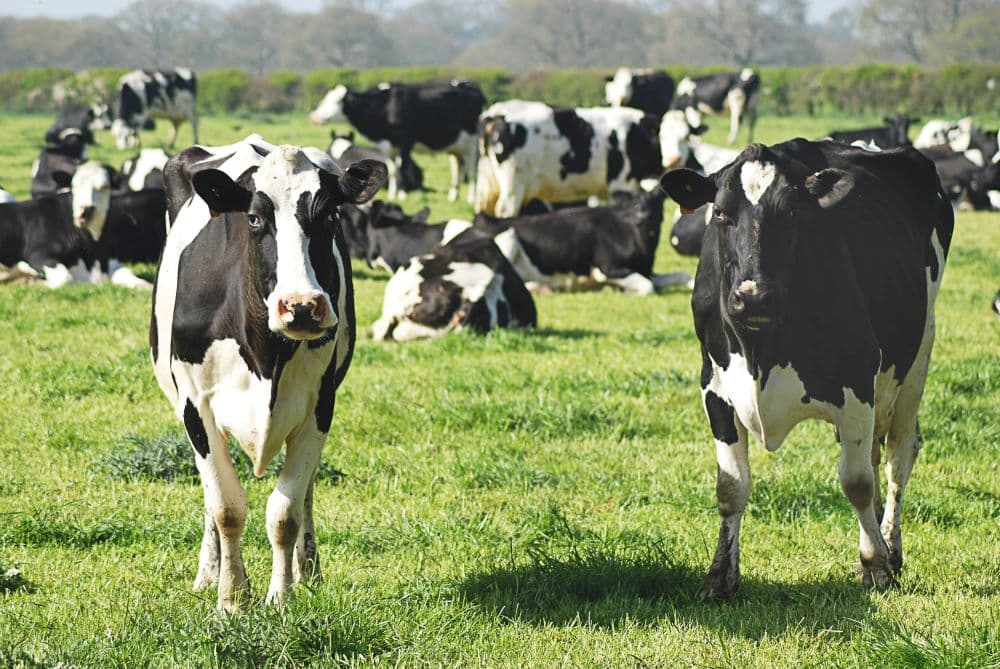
(608, 592)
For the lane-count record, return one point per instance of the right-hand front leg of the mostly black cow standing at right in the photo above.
(857, 480)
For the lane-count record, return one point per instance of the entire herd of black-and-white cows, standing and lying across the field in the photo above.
(814, 295)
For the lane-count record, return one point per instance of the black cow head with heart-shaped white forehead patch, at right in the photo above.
(759, 203)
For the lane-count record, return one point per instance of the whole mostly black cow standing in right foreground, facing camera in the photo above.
(814, 298)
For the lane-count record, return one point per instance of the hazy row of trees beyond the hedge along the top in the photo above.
(521, 35)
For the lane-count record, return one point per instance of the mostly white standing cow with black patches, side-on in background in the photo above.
(559, 154)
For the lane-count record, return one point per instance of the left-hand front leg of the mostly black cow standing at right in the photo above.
(732, 489)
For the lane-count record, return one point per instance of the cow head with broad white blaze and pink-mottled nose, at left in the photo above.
(288, 210)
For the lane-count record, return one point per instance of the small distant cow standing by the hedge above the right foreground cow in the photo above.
(737, 92)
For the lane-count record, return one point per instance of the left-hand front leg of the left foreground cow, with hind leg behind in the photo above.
(226, 506)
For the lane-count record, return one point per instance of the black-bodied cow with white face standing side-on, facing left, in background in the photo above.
(429, 118)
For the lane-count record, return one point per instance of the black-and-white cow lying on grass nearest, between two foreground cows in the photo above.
(465, 284)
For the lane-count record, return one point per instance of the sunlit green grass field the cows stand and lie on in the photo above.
(539, 499)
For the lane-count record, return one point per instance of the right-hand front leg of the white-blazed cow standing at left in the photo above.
(286, 507)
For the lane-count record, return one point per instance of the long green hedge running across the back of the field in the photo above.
(954, 90)
